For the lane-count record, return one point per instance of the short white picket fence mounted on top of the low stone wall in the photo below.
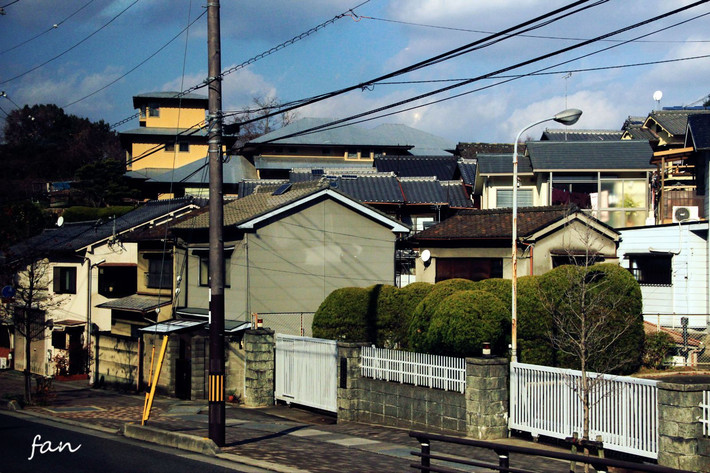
(420, 369)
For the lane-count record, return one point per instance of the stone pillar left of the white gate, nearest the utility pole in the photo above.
(259, 367)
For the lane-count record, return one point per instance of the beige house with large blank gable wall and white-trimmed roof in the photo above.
(286, 248)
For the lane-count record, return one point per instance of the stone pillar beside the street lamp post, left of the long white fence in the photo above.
(487, 382)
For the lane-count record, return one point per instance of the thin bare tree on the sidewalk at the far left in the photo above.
(27, 314)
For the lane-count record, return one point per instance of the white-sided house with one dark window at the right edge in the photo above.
(670, 262)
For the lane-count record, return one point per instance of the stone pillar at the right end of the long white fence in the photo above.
(681, 443)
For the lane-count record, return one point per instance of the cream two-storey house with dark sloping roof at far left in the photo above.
(85, 265)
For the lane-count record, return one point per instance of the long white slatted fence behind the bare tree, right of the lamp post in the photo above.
(547, 401)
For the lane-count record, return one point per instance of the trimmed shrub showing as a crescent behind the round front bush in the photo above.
(419, 326)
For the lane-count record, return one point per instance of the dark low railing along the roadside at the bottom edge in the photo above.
(430, 462)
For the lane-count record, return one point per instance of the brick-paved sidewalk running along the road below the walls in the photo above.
(276, 438)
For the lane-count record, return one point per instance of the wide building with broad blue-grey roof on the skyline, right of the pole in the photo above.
(309, 143)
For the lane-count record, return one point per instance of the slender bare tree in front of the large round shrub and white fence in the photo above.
(596, 322)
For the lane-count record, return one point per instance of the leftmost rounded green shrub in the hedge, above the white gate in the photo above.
(346, 314)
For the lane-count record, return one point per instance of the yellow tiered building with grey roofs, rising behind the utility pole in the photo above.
(172, 132)
